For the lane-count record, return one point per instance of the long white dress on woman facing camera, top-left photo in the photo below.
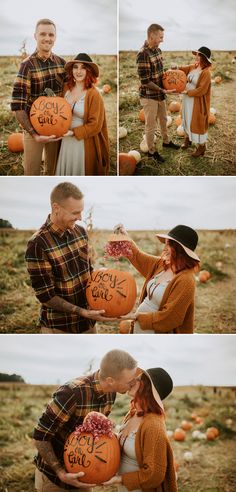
(71, 159)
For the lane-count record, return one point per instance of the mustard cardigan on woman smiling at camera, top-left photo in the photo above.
(94, 133)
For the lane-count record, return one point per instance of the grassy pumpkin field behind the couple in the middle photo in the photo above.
(215, 285)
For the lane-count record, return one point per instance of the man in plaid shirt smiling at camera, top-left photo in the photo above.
(39, 71)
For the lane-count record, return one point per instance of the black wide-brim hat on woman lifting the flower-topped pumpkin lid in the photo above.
(185, 236)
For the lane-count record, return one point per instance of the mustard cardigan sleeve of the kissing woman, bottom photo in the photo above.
(154, 458)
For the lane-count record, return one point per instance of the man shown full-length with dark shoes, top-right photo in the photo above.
(152, 94)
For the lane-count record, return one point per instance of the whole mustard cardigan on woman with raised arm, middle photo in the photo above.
(176, 312)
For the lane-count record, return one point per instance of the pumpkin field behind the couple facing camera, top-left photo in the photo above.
(11, 161)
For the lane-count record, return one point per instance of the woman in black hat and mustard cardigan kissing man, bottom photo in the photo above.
(146, 458)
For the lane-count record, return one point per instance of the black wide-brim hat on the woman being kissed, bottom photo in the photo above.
(161, 383)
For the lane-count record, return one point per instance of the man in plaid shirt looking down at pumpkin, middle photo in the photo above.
(59, 266)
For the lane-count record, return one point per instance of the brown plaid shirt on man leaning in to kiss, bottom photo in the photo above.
(67, 409)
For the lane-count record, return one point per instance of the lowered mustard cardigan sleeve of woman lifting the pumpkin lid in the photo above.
(173, 312)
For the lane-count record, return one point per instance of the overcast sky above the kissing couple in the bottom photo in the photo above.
(190, 359)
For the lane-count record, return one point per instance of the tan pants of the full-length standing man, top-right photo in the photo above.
(154, 111)
